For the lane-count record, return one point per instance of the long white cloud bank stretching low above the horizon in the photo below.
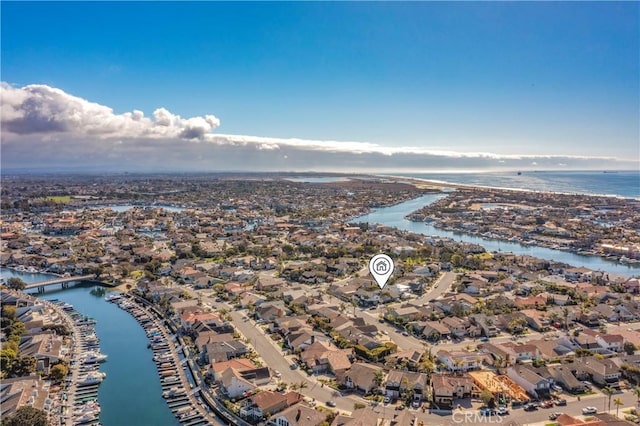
(42, 126)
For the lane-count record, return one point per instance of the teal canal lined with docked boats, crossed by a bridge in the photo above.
(131, 393)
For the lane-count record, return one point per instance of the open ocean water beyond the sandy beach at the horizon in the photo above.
(624, 184)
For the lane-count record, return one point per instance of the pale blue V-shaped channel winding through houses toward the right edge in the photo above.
(395, 216)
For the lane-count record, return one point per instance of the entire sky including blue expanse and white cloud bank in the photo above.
(337, 86)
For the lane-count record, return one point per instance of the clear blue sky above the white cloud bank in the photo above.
(511, 78)
